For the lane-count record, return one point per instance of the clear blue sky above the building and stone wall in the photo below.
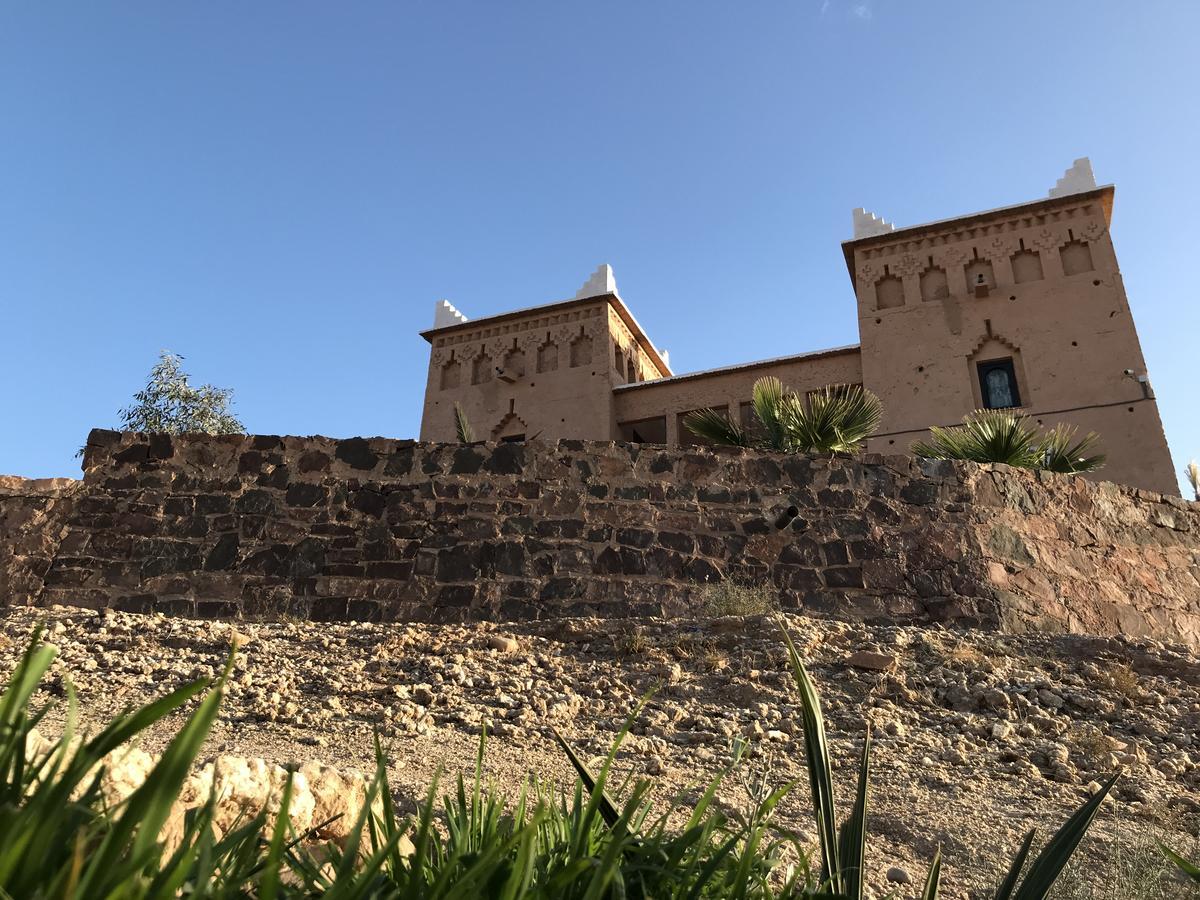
(281, 191)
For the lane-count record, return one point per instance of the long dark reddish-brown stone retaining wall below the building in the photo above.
(375, 529)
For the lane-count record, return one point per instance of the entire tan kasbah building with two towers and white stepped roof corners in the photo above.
(1017, 308)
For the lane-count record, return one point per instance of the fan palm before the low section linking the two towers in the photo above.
(832, 421)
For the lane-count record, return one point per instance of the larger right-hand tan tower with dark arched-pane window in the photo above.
(1017, 308)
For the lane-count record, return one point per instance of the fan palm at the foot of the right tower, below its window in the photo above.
(1011, 439)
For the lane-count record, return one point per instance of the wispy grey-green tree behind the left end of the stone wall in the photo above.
(171, 405)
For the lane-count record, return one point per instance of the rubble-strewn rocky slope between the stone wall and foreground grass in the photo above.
(980, 736)
